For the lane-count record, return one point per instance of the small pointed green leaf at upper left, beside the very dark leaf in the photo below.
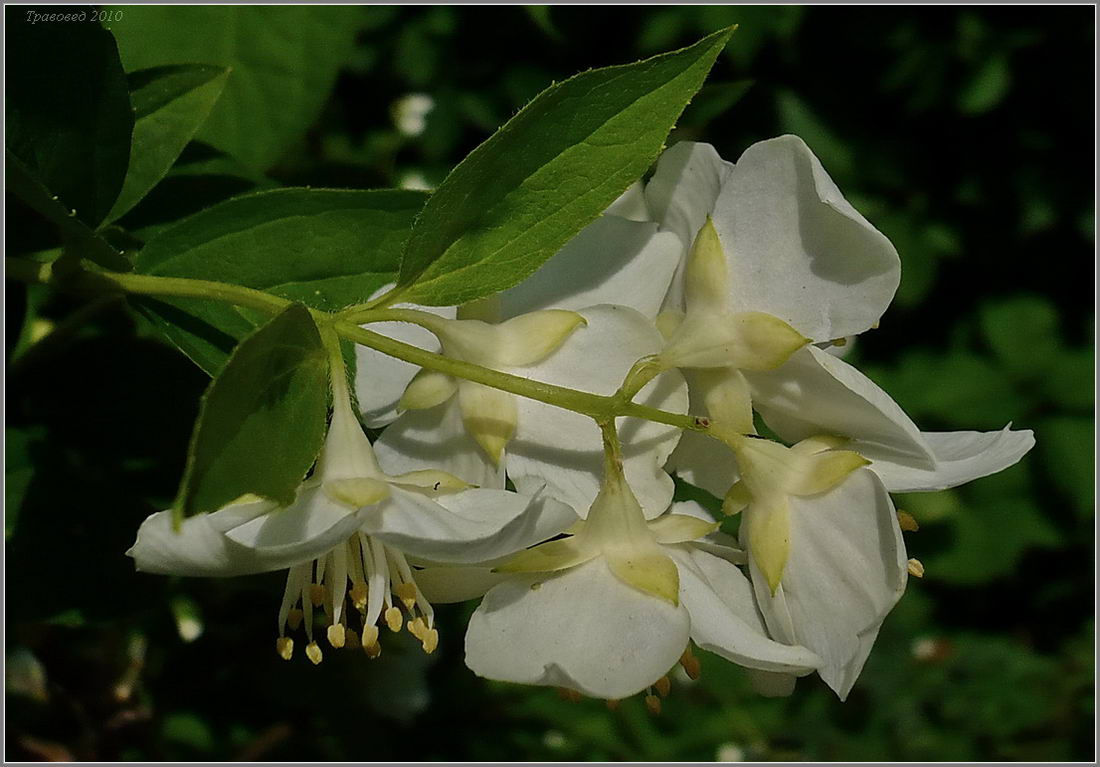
(170, 105)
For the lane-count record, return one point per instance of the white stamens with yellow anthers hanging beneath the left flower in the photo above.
(364, 577)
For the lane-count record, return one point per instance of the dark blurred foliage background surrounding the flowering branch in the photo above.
(966, 135)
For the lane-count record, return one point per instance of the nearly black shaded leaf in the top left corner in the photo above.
(68, 109)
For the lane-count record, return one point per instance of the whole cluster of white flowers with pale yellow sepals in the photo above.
(722, 290)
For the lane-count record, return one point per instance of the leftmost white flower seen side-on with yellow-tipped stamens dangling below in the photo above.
(346, 540)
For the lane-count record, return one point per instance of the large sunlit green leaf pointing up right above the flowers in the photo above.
(516, 200)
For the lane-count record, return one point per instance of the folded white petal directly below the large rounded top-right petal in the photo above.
(816, 393)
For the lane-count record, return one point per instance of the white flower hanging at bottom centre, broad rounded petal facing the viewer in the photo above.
(611, 609)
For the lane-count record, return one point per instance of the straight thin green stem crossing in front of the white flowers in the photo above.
(593, 406)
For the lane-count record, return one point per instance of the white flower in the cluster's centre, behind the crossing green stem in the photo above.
(478, 434)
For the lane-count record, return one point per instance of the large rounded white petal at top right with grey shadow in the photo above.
(798, 249)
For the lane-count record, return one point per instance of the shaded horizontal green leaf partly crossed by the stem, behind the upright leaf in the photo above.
(325, 248)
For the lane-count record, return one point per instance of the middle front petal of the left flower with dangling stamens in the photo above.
(312, 525)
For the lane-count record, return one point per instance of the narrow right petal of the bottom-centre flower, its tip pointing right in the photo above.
(724, 618)
